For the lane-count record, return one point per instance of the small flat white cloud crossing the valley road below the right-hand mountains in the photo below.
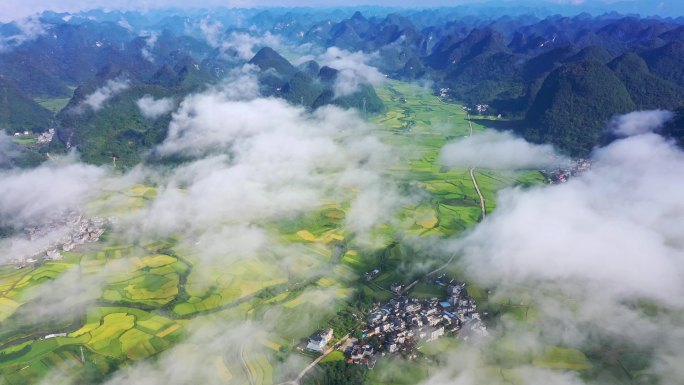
(498, 150)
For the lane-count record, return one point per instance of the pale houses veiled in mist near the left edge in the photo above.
(70, 230)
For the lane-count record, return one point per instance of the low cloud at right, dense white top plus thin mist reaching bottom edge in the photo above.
(588, 257)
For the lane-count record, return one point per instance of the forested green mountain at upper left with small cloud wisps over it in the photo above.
(119, 129)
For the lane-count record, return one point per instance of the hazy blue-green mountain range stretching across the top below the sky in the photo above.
(560, 77)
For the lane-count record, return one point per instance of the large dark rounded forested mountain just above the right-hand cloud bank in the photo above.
(573, 105)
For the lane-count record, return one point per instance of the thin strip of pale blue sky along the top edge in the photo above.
(13, 9)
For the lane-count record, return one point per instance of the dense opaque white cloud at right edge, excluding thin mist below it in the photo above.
(614, 228)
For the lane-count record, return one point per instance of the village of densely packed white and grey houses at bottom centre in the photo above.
(402, 324)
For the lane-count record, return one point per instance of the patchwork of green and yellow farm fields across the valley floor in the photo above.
(153, 290)
